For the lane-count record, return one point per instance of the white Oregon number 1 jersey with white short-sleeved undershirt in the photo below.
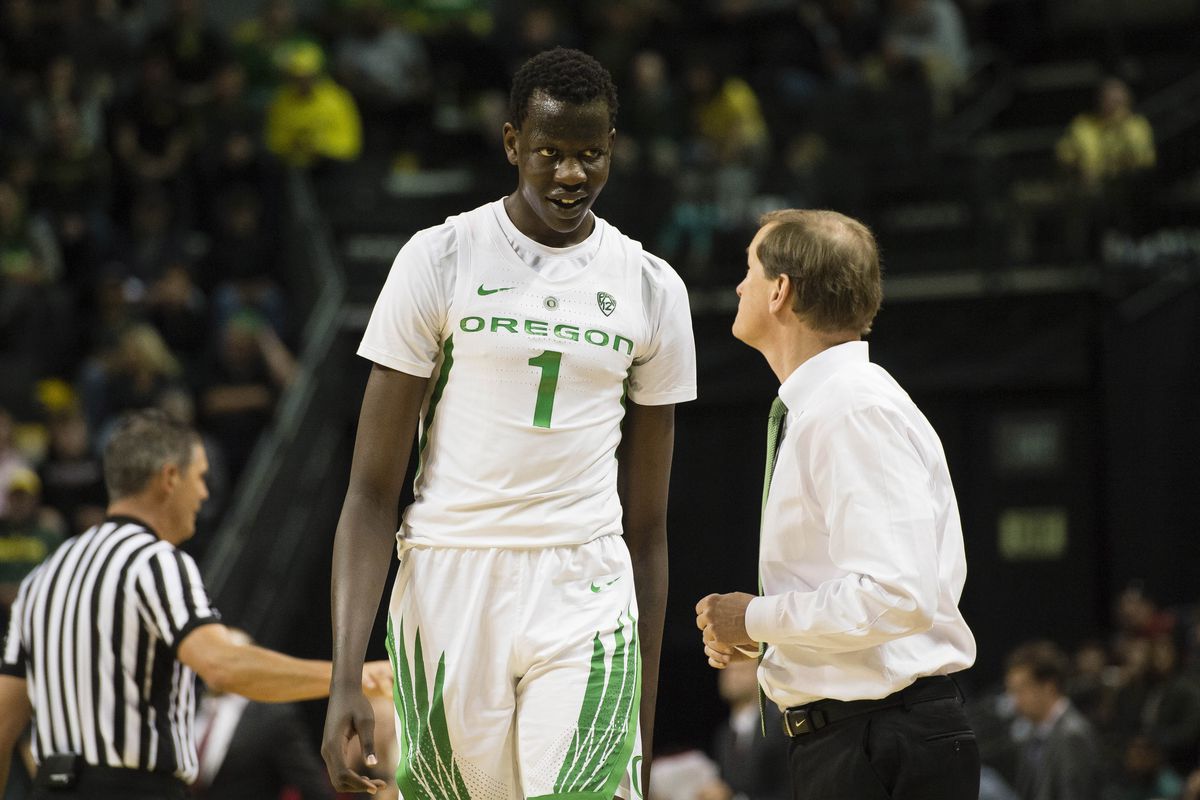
(529, 376)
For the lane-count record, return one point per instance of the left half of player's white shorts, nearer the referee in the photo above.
(449, 637)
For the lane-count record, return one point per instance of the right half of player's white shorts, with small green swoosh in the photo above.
(578, 701)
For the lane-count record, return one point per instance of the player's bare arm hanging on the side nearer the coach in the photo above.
(644, 479)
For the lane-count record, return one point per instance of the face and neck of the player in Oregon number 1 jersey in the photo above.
(562, 154)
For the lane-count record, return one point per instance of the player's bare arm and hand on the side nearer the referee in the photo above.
(362, 555)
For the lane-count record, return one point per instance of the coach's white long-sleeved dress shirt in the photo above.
(862, 557)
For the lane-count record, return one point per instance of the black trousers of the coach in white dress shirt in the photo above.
(921, 751)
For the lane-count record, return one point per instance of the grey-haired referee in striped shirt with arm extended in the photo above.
(107, 636)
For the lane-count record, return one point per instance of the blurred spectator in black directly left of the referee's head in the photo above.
(73, 477)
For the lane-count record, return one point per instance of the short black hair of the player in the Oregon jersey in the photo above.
(567, 75)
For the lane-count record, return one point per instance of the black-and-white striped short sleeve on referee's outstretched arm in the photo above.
(172, 597)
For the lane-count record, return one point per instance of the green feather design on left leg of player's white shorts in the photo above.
(427, 769)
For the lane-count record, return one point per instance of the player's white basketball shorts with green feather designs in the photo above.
(518, 673)
